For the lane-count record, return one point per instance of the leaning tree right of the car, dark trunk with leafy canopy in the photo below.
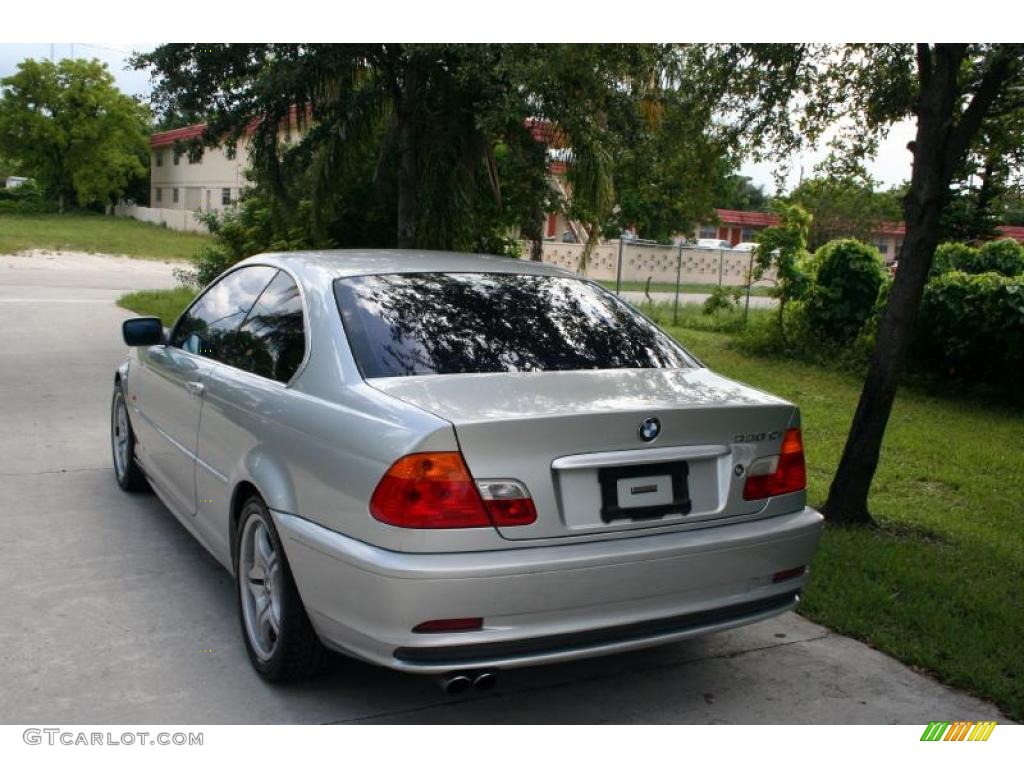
(777, 98)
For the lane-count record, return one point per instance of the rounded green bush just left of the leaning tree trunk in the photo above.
(847, 278)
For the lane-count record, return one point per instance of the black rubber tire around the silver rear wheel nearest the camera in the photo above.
(297, 652)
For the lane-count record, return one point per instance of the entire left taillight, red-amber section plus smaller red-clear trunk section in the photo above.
(436, 491)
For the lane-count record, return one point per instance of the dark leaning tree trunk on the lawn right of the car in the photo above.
(847, 503)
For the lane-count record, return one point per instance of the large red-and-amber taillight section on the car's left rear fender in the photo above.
(430, 491)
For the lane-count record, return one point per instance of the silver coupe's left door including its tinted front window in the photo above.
(175, 378)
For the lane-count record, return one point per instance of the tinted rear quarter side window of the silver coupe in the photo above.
(272, 343)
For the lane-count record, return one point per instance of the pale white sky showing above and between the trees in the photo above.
(891, 167)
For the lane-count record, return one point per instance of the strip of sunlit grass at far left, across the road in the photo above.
(96, 234)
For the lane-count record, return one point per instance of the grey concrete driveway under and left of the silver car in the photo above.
(113, 614)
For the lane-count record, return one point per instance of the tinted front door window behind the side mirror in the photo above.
(206, 329)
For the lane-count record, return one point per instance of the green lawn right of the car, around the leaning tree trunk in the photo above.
(940, 584)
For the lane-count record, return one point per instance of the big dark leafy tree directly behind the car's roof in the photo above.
(432, 126)
